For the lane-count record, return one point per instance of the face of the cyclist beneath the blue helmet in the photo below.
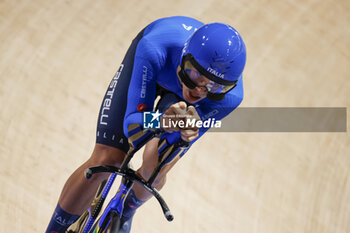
(199, 92)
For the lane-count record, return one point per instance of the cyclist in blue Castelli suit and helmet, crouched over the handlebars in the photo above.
(195, 68)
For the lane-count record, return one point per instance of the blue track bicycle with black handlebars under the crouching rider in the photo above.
(110, 219)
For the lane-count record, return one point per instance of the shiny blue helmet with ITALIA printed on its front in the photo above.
(218, 52)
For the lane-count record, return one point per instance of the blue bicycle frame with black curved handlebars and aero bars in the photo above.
(115, 207)
